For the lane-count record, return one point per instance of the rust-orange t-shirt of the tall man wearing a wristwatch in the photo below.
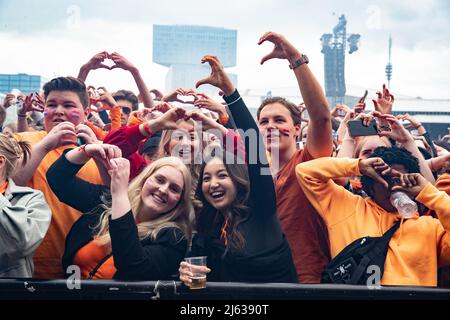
(304, 228)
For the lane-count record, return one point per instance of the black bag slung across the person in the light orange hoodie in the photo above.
(350, 265)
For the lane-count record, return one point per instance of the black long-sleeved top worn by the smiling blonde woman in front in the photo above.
(149, 259)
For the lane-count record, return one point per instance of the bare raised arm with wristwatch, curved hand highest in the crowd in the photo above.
(320, 140)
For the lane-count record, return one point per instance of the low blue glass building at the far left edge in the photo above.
(23, 82)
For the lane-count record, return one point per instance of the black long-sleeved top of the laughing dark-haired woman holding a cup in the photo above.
(266, 256)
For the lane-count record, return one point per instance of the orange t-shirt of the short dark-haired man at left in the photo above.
(47, 259)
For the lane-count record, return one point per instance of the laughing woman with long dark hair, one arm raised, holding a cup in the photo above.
(238, 228)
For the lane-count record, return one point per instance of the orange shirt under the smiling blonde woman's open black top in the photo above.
(88, 257)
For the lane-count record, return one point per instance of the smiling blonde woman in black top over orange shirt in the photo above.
(136, 231)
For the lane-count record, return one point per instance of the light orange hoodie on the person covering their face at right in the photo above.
(416, 249)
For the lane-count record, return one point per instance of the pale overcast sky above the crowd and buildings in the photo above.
(56, 37)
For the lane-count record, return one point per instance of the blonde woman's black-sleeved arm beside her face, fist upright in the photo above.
(133, 260)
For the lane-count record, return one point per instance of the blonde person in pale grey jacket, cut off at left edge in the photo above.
(24, 217)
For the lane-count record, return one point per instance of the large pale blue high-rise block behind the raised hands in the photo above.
(181, 47)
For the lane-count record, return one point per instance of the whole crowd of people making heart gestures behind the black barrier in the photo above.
(126, 185)
